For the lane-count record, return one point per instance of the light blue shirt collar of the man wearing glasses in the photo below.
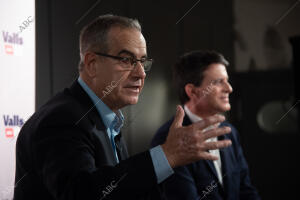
(110, 119)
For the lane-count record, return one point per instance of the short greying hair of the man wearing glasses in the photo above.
(93, 37)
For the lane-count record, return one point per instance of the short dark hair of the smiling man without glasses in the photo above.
(190, 68)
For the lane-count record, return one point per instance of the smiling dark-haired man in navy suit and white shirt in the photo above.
(203, 88)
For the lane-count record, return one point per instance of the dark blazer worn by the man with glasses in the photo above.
(63, 152)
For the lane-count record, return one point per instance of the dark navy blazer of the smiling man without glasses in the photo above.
(199, 180)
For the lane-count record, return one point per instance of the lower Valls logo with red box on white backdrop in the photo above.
(10, 123)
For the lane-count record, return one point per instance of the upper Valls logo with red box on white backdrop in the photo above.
(11, 40)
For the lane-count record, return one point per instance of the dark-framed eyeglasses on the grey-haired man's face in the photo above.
(130, 62)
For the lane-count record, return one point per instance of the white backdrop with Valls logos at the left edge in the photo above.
(17, 81)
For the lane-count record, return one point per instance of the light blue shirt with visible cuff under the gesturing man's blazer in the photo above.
(114, 122)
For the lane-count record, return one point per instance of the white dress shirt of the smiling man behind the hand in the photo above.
(217, 163)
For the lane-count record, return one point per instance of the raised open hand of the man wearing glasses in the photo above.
(187, 144)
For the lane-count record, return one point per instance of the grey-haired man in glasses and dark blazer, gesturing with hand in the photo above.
(72, 147)
